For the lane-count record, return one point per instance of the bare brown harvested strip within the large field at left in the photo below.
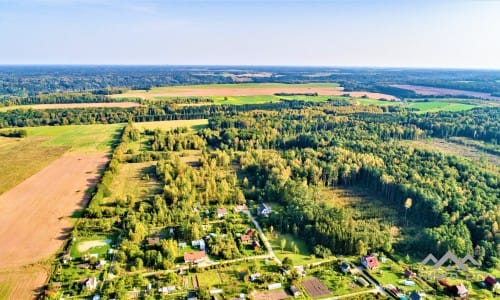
(36, 213)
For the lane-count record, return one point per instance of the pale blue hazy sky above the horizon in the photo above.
(389, 33)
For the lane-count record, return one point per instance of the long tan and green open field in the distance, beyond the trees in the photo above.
(246, 89)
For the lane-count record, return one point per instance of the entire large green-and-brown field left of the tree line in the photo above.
(43, 182)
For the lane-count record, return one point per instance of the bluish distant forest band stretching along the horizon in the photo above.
(32, 80)
